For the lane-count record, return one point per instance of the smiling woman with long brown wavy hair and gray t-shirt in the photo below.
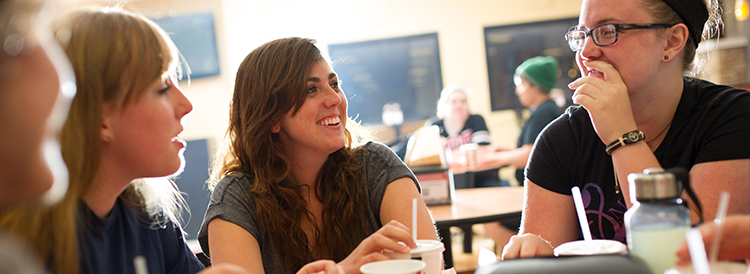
(296, 180)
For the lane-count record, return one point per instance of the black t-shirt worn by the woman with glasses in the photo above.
(711, 124)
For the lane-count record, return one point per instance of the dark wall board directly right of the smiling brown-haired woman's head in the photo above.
(405, 70)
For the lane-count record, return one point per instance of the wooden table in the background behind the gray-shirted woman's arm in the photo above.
(476, 206)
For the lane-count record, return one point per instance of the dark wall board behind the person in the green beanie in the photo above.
(508, 46)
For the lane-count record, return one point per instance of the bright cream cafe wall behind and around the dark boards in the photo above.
(242, 25)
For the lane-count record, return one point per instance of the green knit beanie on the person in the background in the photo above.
(540, 71)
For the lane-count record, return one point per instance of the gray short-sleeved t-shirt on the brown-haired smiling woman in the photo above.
(232, 201)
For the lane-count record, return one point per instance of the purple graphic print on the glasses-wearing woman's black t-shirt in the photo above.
(603, 223)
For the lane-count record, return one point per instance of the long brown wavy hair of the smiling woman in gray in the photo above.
(270, 82)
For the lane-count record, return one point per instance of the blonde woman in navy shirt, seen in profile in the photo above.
(122, 126)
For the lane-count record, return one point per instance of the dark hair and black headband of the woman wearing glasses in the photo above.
(702, 18)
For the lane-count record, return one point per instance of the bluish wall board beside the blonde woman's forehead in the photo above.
(194, 36)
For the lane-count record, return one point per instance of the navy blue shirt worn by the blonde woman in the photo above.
(109, 245)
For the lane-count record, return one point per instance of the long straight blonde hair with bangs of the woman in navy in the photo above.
(115, 54)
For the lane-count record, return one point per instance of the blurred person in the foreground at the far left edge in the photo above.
(36, 87)
